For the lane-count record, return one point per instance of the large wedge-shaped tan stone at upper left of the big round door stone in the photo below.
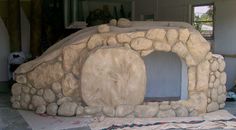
(71, 54)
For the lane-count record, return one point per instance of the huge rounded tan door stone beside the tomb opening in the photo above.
(112, 82)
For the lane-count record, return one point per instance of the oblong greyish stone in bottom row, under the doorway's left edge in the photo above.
(145, 111)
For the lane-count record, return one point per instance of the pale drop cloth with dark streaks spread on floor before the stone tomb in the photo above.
(219, 119)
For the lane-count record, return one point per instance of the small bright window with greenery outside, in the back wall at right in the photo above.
(203, 19)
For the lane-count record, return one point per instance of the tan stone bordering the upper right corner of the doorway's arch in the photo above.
(180, 49)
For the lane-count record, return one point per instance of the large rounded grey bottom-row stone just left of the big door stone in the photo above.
(67, 109)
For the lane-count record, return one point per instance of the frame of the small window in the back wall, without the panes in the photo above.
(213, 18)
